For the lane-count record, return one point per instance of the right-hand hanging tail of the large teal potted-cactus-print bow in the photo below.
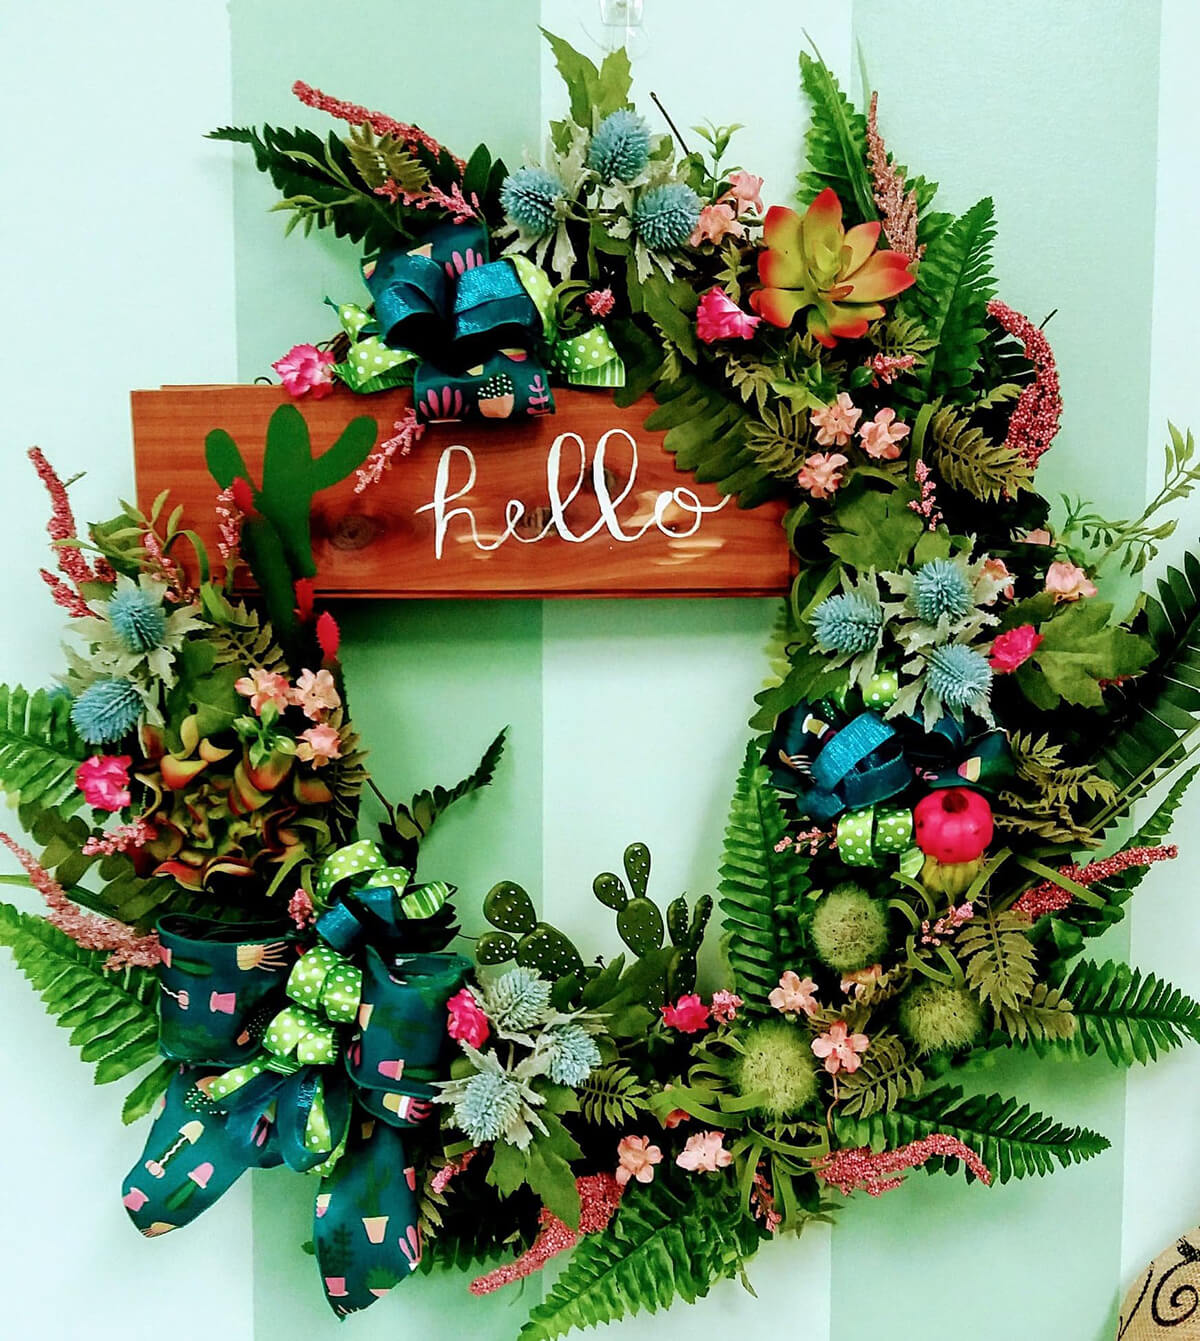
(365, 1224)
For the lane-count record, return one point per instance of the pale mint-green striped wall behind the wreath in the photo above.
(625, 718)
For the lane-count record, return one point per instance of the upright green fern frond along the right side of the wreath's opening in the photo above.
(762, 891)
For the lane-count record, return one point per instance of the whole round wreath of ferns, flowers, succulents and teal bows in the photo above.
(922, 840)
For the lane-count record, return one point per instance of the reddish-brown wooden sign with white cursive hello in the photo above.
(585, 502)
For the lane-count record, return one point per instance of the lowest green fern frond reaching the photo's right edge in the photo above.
(1128, 1014)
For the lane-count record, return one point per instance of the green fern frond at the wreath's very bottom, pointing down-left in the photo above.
(660, 1246)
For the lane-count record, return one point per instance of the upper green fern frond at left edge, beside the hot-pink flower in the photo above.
(40, 750)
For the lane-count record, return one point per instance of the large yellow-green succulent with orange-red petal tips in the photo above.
(812, 262)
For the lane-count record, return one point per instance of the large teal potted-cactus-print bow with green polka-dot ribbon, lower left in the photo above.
(317, 1063)
